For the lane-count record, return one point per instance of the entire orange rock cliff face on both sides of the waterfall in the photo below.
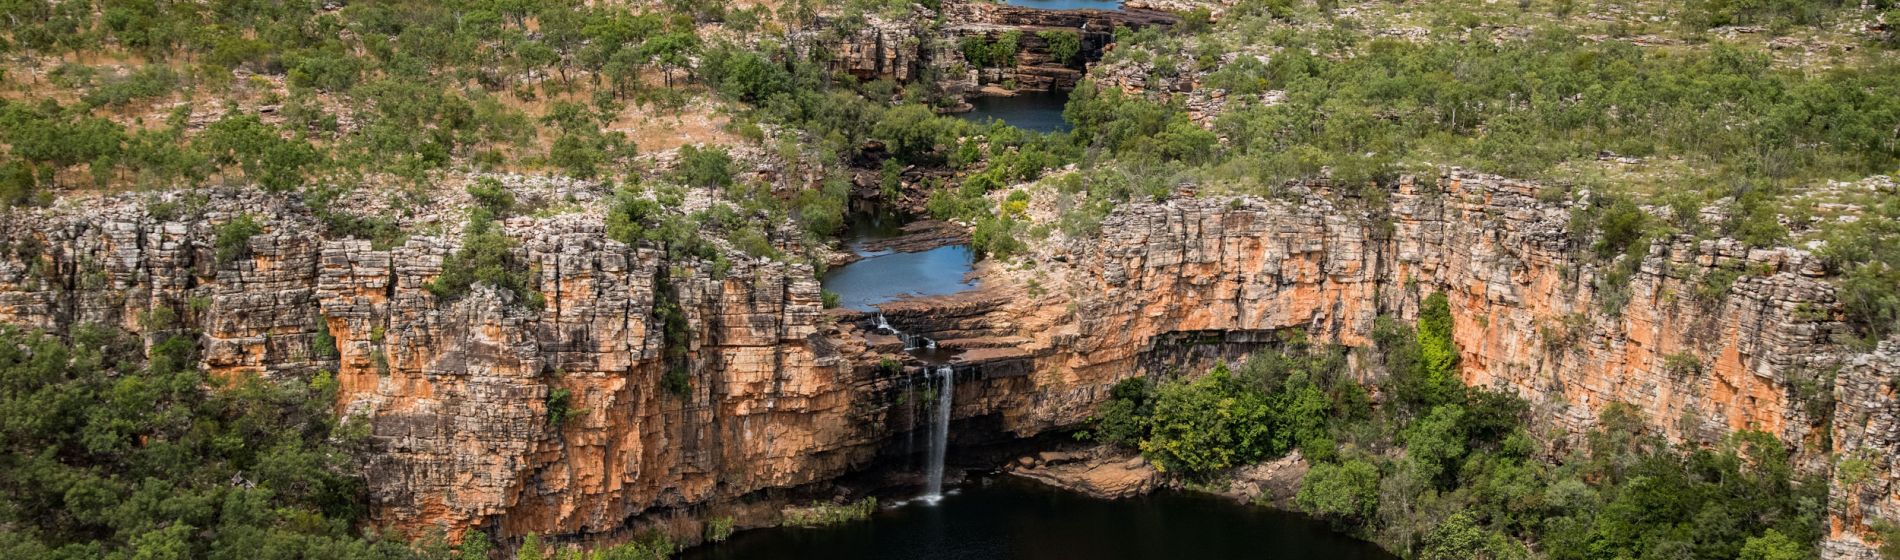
(789, 396)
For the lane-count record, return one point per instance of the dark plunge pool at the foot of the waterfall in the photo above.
(1019, 519)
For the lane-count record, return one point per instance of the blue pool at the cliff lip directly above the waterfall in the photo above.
(884, 276)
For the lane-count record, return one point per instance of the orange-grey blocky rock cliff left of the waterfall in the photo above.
(457, 392)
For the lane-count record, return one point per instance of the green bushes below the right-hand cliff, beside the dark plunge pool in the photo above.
(1437, 470)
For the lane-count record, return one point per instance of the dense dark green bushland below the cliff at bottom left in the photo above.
(109, 455)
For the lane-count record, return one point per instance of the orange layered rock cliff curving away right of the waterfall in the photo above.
(1705, 339)
